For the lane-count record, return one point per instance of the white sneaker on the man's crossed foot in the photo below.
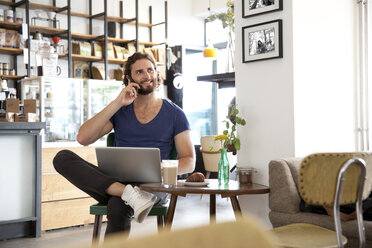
(141, 201)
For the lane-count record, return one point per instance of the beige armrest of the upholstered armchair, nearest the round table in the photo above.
(284, 196)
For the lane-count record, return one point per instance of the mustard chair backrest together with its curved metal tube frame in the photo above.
(335, 179)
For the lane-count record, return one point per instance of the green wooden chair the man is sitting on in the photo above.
(158, 210)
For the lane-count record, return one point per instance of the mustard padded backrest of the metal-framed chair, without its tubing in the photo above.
(318, 178)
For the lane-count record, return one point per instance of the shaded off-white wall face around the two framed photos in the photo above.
(265, 98)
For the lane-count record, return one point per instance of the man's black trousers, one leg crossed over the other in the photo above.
(92, 181)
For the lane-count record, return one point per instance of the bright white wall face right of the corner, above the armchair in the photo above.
(324, 75)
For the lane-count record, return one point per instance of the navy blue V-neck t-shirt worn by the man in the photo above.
(159, 132)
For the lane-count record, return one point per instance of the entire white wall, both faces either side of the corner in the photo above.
(302, 102)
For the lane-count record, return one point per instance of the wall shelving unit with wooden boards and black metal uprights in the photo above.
(66, 33)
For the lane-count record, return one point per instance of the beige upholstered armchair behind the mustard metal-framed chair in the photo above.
(284, 203)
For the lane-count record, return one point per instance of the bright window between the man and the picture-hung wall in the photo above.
(204, 104)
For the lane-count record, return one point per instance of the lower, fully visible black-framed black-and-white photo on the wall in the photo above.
(262, 41)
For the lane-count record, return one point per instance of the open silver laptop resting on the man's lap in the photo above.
(130, 164)
